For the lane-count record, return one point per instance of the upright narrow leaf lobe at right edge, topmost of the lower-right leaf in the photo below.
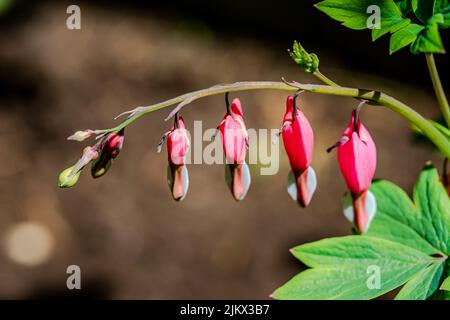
(433, 204)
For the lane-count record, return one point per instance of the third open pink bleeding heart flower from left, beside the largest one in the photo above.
(298, 139)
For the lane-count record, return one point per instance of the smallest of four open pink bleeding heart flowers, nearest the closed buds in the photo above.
(178, 144)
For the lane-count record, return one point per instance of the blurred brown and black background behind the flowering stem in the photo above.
(124, 231)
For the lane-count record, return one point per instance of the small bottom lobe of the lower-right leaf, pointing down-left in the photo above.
(423, 284)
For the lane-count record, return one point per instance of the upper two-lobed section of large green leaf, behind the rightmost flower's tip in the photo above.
(425, 225)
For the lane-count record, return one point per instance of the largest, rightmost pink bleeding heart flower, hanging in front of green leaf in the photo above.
(357, 158)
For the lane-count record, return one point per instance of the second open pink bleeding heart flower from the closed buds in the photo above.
(235, 141)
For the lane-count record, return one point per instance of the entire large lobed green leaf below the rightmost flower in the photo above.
(407, 244)
